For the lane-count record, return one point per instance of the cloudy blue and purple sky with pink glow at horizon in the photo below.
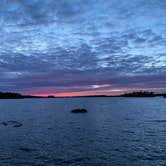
(82, 47)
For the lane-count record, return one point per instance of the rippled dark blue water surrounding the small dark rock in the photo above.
(115, 132)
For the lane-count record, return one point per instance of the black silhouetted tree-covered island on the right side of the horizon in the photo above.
(139, 94)
